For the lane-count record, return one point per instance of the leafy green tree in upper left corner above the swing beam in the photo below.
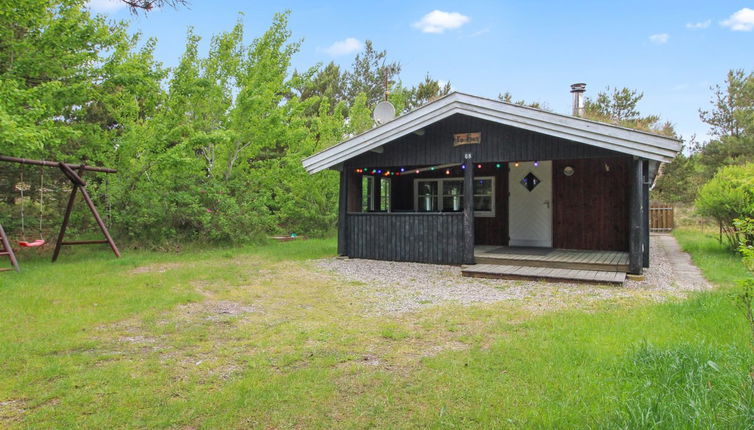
(51, 63)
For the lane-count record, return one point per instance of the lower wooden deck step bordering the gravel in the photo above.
(500, 271)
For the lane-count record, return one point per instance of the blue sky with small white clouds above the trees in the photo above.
(673, 51)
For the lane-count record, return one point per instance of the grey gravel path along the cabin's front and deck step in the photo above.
(388, 287)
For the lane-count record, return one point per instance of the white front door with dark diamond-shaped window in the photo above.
(530, 202)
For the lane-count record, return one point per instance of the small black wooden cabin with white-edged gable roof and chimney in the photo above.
(464, 175)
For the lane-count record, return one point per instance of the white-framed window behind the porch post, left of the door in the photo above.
(446, 195)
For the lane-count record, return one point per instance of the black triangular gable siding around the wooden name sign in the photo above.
(500, 143)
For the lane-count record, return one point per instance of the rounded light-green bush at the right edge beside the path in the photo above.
(727, 197)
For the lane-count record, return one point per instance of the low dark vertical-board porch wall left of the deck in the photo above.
(424, 238)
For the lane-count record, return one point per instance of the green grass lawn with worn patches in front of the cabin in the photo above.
(256, 337)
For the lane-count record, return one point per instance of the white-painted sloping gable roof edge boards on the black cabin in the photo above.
(615, 138)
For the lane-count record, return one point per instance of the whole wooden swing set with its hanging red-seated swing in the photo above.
(73, 172)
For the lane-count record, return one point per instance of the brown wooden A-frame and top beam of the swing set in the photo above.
(73, 172)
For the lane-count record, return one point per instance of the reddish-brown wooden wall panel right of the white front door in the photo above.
(591, 207)
